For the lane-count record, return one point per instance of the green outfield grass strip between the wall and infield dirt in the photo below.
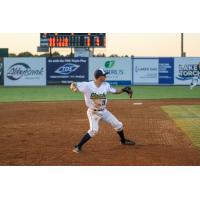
(60, 93)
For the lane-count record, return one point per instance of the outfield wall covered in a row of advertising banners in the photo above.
(37, 71)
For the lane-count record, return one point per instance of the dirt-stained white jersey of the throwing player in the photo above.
(95, 97)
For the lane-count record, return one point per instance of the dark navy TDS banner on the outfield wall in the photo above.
(66, 70)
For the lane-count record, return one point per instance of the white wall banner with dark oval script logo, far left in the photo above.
(24, 71)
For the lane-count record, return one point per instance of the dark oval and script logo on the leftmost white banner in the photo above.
(19, 70)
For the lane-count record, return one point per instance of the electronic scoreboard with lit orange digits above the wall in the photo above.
(73, 40)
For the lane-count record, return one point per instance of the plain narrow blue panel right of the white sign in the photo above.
(166, 70)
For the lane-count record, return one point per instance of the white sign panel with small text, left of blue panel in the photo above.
(145, 71)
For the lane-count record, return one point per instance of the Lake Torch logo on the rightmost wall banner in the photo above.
(188, 71)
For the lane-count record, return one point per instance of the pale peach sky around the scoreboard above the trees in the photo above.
(137, 44)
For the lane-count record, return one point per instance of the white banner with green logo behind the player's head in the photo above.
(119, 69)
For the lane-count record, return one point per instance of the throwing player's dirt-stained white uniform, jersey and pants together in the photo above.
(95, 99)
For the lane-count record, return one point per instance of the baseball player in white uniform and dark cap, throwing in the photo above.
(95, 99)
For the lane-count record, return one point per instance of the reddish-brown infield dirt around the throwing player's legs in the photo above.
(44, 133)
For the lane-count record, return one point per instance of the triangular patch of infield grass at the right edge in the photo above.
(188, 119)
